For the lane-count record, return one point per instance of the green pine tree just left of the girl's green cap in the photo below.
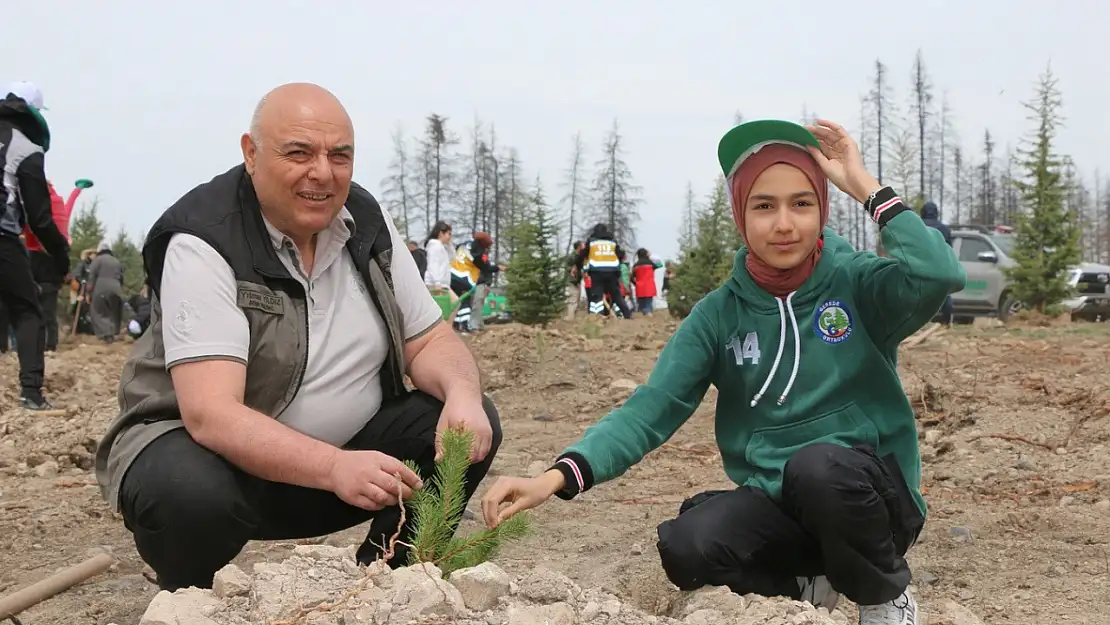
(708, 264)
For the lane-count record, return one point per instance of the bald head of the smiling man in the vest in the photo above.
(300, 154)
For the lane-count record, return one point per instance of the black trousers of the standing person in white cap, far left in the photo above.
(21, 296)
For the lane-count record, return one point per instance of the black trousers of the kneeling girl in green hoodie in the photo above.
(845, 513)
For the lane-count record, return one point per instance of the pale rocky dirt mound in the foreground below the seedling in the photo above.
(322, 586)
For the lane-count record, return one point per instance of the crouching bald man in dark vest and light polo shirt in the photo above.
(268, 399)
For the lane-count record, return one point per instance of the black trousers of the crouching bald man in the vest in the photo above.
(191, 511)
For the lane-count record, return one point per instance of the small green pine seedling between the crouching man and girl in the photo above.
(438, 508)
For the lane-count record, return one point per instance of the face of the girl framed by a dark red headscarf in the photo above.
(782, 218)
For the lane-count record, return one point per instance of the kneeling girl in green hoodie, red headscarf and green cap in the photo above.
(812, 421)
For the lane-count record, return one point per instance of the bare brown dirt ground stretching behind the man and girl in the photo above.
(1014, 422)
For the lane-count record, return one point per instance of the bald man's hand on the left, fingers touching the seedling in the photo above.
(369, 480)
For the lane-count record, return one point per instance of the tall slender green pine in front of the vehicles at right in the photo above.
(1047, 239)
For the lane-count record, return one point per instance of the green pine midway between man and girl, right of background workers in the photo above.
(537, 277)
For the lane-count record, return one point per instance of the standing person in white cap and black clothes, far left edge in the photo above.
(25, 200)
